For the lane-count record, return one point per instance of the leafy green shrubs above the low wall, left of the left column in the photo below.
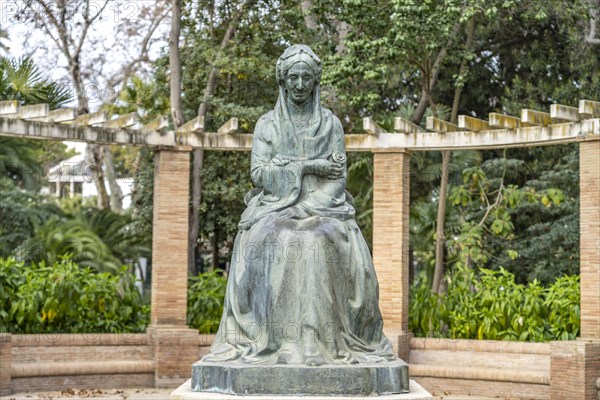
(63, 297)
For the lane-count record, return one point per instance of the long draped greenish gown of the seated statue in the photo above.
(302, 288)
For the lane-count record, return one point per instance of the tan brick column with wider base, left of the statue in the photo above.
(175, 345)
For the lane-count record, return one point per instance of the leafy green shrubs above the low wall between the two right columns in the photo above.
(492, 306)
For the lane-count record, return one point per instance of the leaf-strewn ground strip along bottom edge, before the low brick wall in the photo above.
(146, 394)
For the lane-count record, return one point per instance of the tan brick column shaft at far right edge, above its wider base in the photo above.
(589, 231)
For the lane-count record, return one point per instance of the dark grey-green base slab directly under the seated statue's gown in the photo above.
(343, 380)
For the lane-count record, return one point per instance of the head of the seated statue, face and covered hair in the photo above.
(298, 72)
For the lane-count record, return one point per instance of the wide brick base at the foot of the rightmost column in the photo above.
(574, 369)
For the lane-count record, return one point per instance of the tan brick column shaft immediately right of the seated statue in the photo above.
(391, 191)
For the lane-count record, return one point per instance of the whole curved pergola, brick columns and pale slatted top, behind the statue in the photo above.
(577, 368)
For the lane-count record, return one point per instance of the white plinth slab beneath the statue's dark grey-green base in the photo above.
(184, 392)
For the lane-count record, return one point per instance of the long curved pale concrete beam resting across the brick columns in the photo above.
(488, 139)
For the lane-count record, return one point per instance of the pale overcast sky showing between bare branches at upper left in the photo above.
(111, 43)
